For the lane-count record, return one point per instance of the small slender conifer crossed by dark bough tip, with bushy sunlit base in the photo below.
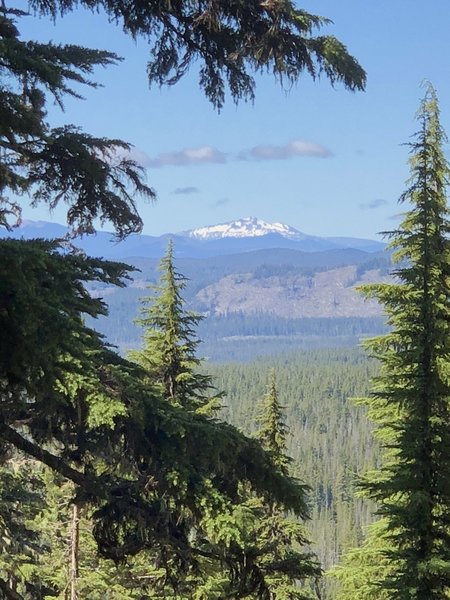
(260, 547)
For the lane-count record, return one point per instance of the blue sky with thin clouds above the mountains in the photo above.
(323, 160)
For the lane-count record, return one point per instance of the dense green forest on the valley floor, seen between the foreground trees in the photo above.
(330, 439)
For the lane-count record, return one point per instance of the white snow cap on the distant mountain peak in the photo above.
(247, 227)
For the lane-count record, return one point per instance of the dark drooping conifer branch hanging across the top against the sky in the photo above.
(230, 40)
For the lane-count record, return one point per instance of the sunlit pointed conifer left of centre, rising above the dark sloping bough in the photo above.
(170, 343)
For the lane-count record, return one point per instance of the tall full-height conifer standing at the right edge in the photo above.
(410, 401)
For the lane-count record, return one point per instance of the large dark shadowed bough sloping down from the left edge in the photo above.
(147, 468)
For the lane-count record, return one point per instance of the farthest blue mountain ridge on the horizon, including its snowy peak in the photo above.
(244, 235)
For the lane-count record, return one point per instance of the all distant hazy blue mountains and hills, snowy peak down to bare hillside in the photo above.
(261, 294)
